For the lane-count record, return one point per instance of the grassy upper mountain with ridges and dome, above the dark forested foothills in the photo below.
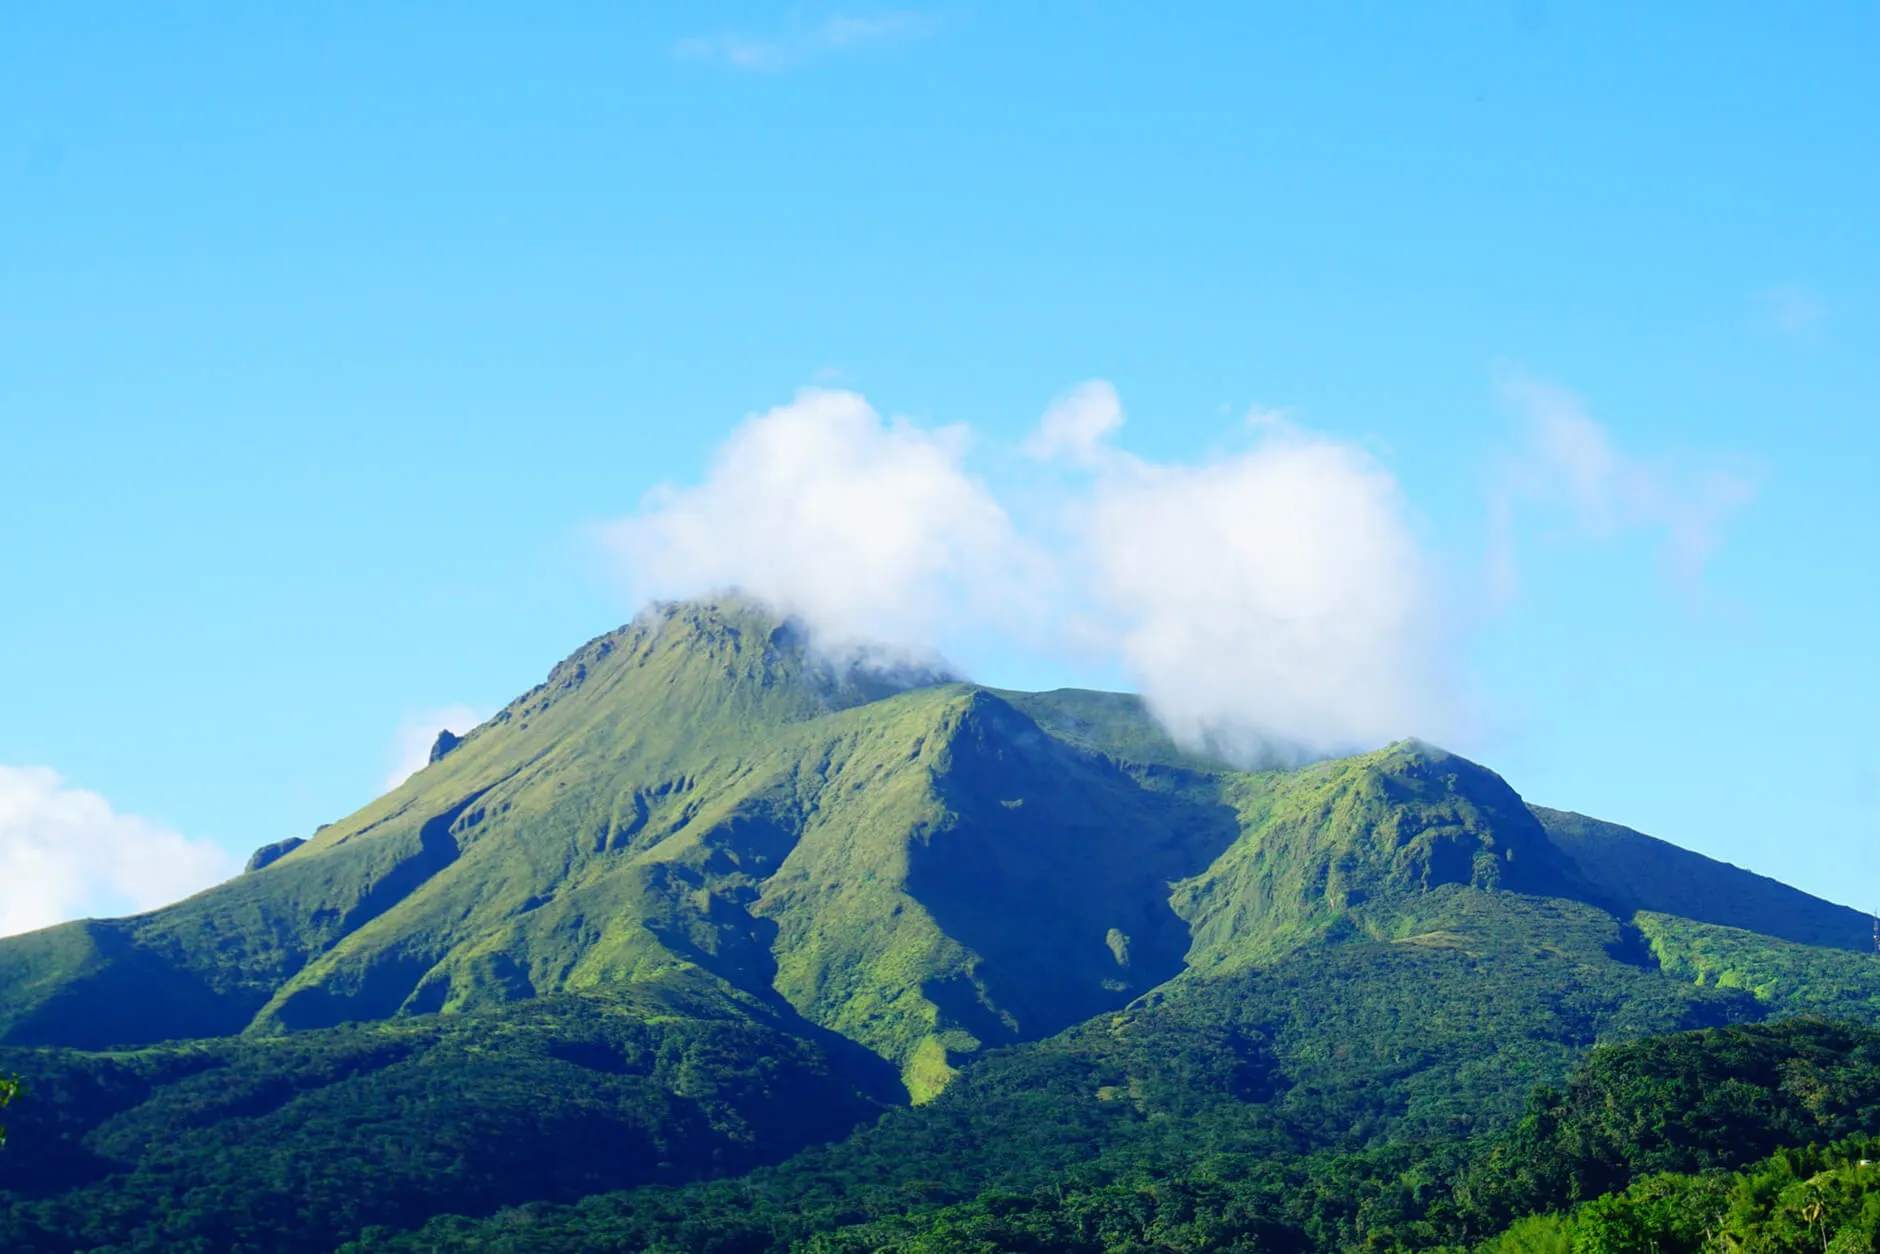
(920, 866)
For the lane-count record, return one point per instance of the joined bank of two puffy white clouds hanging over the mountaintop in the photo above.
(1272, 603)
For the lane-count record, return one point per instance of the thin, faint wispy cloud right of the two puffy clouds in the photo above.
(1571, 465)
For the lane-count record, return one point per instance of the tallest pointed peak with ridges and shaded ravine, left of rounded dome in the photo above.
(695, 792)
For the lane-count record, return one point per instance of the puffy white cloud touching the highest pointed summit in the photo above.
(869, 531)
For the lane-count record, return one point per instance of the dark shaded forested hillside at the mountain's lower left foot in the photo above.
(298, 1142)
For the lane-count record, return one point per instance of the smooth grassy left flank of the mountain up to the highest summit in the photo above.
(618, 744)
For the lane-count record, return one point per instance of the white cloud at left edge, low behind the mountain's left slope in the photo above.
(67, 854)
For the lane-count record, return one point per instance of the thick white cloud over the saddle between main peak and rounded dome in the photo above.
(1274, 603)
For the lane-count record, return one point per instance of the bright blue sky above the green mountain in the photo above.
(337, 343)
